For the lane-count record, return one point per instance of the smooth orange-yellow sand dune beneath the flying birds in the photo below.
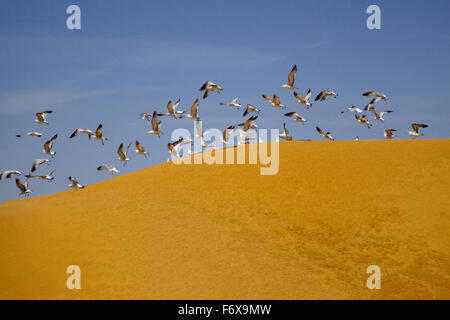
(226, 232)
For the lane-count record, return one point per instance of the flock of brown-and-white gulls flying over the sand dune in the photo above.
(175, 147)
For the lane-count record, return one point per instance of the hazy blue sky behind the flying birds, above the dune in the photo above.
(133, 56)
